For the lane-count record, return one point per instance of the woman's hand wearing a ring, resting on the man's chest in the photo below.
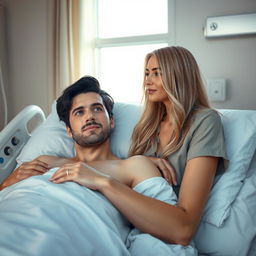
(80, 173)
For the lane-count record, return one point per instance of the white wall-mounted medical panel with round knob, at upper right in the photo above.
(232, 25)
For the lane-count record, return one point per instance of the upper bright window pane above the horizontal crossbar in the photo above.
(122, 18)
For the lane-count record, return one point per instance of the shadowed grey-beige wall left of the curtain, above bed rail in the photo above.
(28, 54)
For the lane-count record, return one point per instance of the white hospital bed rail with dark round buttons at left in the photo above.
(14, 136)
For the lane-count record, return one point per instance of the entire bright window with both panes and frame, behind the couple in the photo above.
(126, 31)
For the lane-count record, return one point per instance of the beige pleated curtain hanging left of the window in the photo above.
(66, 27)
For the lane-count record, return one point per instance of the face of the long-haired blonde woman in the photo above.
(153, 82)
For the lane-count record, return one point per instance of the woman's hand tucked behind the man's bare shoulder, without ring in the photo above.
(165, 168)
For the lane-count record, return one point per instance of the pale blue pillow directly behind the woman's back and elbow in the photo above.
(240, 140)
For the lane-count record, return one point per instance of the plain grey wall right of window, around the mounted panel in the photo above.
(231, 58)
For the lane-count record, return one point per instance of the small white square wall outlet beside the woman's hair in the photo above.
(216, 89)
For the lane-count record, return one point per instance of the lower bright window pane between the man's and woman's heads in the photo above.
(121, 71)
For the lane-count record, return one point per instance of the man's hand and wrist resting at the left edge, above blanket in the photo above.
(24, 171)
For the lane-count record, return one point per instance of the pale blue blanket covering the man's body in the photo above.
(40, 218)
